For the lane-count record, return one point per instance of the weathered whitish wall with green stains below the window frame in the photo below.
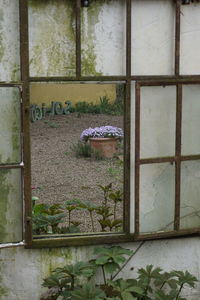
(22, 270)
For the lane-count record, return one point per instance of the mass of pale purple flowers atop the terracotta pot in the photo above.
(101, 132)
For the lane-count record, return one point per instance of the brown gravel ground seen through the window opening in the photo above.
(59, 175)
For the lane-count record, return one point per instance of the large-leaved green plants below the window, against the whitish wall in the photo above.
(73, 282)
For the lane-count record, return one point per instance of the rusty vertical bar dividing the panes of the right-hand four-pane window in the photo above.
(178, 155)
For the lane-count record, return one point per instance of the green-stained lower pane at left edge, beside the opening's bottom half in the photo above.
(10, 206)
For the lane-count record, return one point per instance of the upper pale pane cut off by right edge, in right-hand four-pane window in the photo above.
(191, 120)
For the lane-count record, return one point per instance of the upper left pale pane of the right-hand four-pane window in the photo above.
(158, 118)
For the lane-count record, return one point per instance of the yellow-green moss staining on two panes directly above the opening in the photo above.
(53, 51)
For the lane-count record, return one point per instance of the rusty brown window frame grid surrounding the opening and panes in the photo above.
(175, 79)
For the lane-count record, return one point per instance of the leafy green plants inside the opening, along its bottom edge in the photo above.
(48, 218)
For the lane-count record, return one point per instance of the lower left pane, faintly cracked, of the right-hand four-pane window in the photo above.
(157, 196)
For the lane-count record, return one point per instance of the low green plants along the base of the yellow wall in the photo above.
(103, 107)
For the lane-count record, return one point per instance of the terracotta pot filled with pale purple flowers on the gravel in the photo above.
(103, 139)
